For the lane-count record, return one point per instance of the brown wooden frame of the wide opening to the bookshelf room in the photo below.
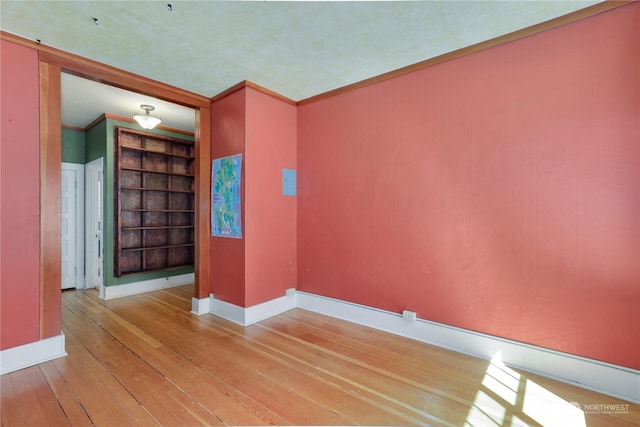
(52, 62)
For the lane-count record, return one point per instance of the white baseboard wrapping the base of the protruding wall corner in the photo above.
(250, 315)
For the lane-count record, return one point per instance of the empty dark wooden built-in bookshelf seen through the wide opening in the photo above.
(154, 202)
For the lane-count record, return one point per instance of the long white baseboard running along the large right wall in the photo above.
(606, 378)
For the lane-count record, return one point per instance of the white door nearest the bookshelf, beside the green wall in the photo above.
(94, 225)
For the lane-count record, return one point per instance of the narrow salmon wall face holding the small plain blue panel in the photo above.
(270, 224)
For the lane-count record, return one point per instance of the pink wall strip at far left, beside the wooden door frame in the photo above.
(19, 196)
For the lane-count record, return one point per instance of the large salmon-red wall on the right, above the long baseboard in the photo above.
(499, 192)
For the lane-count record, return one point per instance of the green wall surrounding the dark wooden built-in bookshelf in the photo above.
(100, 142)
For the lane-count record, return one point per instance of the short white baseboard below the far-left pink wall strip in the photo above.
(23, 356)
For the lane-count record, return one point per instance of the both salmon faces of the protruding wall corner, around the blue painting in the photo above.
(262, 265)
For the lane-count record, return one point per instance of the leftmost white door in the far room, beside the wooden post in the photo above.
(72, 226)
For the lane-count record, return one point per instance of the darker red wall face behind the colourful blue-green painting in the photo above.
(228, 136)
